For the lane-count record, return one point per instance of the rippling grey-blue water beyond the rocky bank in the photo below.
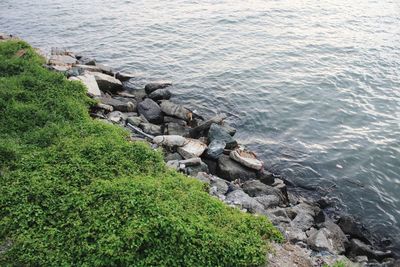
(313, 86)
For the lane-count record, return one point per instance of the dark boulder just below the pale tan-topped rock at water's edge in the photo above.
(231, 170)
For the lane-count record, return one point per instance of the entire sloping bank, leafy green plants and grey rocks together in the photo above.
(95, 172)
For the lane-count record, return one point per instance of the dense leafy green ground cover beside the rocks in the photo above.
(75, 191)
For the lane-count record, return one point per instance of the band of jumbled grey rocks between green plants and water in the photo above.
(205, 148)
